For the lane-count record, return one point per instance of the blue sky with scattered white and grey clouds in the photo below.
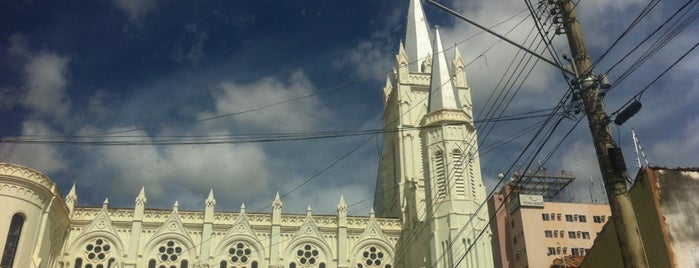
(137, 74)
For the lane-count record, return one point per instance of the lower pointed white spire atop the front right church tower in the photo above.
(442, 94)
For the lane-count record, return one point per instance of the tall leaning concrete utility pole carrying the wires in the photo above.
(609, 155)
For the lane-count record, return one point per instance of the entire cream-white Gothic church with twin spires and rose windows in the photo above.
(427, 201)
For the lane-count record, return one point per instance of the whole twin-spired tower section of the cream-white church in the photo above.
(429, 173)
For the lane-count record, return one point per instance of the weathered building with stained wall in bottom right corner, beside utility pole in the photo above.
(667, 208)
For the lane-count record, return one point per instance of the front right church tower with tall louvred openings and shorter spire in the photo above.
(454, 186)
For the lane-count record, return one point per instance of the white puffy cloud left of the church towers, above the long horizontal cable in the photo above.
(299, 115)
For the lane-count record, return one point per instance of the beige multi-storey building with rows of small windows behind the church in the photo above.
(536, 227)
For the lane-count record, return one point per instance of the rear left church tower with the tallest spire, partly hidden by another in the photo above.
(400, 184)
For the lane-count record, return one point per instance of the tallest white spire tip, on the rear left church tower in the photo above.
(417, 37)
